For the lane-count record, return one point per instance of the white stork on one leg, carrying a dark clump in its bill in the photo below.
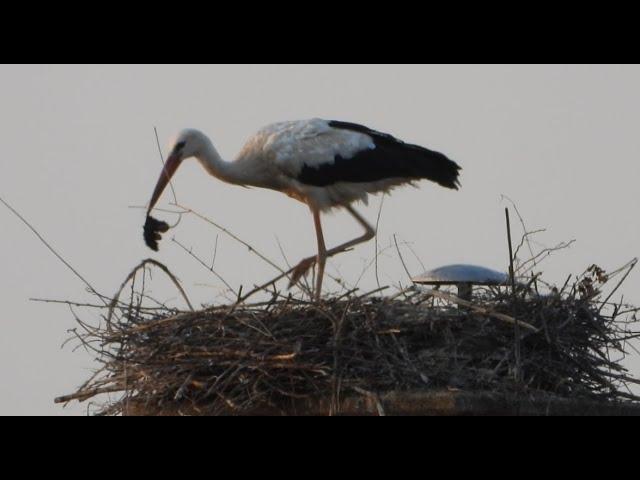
(324, 164)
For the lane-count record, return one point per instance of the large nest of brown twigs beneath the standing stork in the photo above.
(239, 359)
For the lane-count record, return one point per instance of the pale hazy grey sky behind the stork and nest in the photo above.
(78, 149)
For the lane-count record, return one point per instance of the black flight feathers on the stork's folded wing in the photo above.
(392, 158)
